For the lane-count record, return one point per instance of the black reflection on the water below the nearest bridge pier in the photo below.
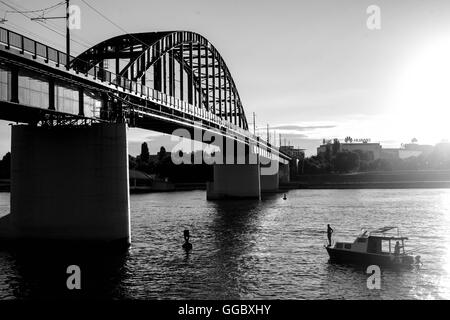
(43, 274)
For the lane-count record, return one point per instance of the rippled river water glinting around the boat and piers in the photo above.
(269, 249)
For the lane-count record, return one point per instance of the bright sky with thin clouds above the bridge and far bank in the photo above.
(311, 69)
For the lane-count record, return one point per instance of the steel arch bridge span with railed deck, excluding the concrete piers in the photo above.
(163, 81)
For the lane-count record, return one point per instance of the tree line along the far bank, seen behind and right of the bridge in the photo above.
(333, 160)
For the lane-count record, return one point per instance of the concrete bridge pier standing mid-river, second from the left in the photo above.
(235, 181)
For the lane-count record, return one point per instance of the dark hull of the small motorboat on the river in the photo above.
(363, 258)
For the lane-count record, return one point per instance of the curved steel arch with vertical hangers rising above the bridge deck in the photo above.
(181, 64)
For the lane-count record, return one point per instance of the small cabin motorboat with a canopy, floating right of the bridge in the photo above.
(382, 247)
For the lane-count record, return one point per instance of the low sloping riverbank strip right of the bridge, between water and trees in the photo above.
(373, 180)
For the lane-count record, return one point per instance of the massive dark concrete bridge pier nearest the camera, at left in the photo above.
(69, 183)
